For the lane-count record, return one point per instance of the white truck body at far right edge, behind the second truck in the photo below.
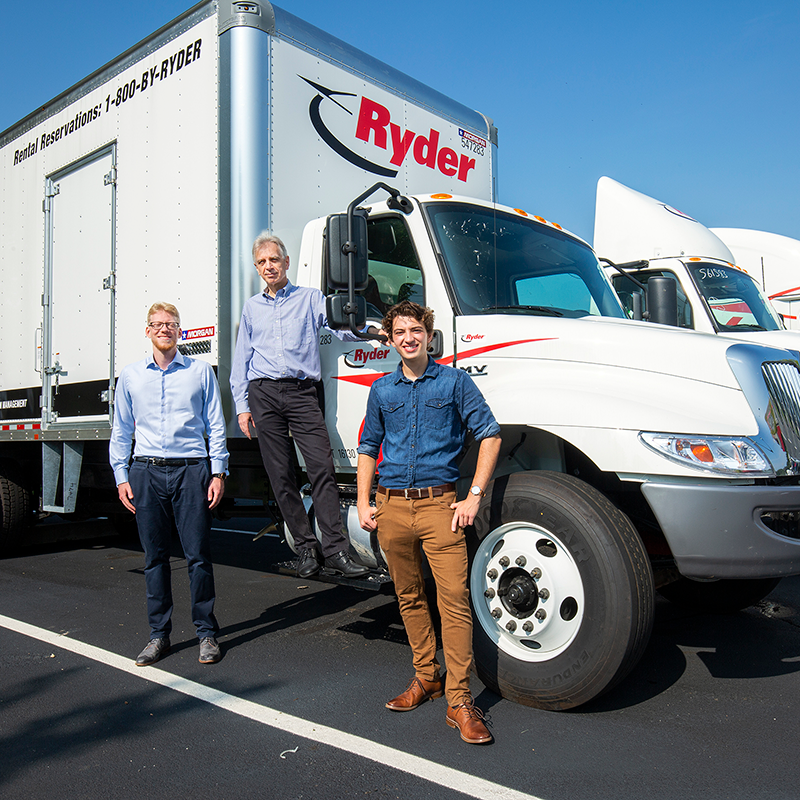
(774, 261)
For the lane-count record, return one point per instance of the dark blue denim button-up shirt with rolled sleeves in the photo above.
(421, 425)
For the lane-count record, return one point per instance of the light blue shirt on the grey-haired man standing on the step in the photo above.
(279, 338)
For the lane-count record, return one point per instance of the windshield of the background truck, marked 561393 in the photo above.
(734, 299)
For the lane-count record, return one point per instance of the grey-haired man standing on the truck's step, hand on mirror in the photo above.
(275, 381)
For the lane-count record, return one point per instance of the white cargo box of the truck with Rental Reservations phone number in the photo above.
(149, 181)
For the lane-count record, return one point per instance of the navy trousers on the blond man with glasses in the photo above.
(163, 494)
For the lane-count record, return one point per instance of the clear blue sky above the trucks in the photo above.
(695, 103)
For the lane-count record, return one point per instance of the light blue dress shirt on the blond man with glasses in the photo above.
(170, 411)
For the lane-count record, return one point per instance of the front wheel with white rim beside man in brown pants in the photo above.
(561, 590)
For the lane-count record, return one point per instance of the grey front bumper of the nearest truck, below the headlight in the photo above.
(718, 532)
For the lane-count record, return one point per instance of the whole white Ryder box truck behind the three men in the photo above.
(634, 455)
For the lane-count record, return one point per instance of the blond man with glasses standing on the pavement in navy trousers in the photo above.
(171, 402)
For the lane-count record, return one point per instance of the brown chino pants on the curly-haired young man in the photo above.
(404, 525)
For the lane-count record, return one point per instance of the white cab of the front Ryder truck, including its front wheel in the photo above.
(634, 455)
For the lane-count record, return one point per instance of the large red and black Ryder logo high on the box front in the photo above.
(374, 125)
